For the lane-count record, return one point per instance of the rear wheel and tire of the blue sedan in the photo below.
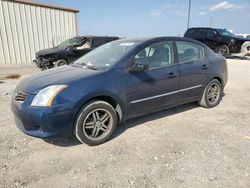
(211, 96)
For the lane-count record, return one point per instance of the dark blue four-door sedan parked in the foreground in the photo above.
(116, 82)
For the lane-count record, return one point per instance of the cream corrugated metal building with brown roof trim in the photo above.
(27, 26)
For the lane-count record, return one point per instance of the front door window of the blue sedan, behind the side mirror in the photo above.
(156, 55)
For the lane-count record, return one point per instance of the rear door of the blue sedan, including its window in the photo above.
(193, 66)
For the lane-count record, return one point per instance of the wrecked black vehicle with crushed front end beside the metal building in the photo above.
(68, 51)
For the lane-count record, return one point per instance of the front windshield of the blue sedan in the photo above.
(105, 56)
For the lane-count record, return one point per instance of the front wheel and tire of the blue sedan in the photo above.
(95, 123)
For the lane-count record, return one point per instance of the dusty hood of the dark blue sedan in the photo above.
(61, 75)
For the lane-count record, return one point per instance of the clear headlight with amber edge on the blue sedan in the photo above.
(46, 96)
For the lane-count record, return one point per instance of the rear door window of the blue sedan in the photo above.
(190, 52)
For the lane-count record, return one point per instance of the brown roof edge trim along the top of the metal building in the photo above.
(30, 2)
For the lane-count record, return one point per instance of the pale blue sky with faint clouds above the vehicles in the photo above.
(156, 17)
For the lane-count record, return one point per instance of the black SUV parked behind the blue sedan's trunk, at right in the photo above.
(219, 40)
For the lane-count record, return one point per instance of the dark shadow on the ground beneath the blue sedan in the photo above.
(72, 141)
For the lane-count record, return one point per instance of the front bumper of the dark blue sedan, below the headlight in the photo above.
(42, 122)
